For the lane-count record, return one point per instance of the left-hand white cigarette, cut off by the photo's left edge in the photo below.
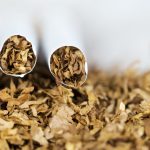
(13, 24)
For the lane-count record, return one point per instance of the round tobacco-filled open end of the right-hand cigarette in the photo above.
(68, 66)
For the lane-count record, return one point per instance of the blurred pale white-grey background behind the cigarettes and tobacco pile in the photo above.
(114, 33)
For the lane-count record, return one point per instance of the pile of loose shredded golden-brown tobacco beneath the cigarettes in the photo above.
(110, 111)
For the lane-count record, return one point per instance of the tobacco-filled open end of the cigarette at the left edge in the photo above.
(17, 56)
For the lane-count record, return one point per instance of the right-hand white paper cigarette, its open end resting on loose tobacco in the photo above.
(63, 48)
